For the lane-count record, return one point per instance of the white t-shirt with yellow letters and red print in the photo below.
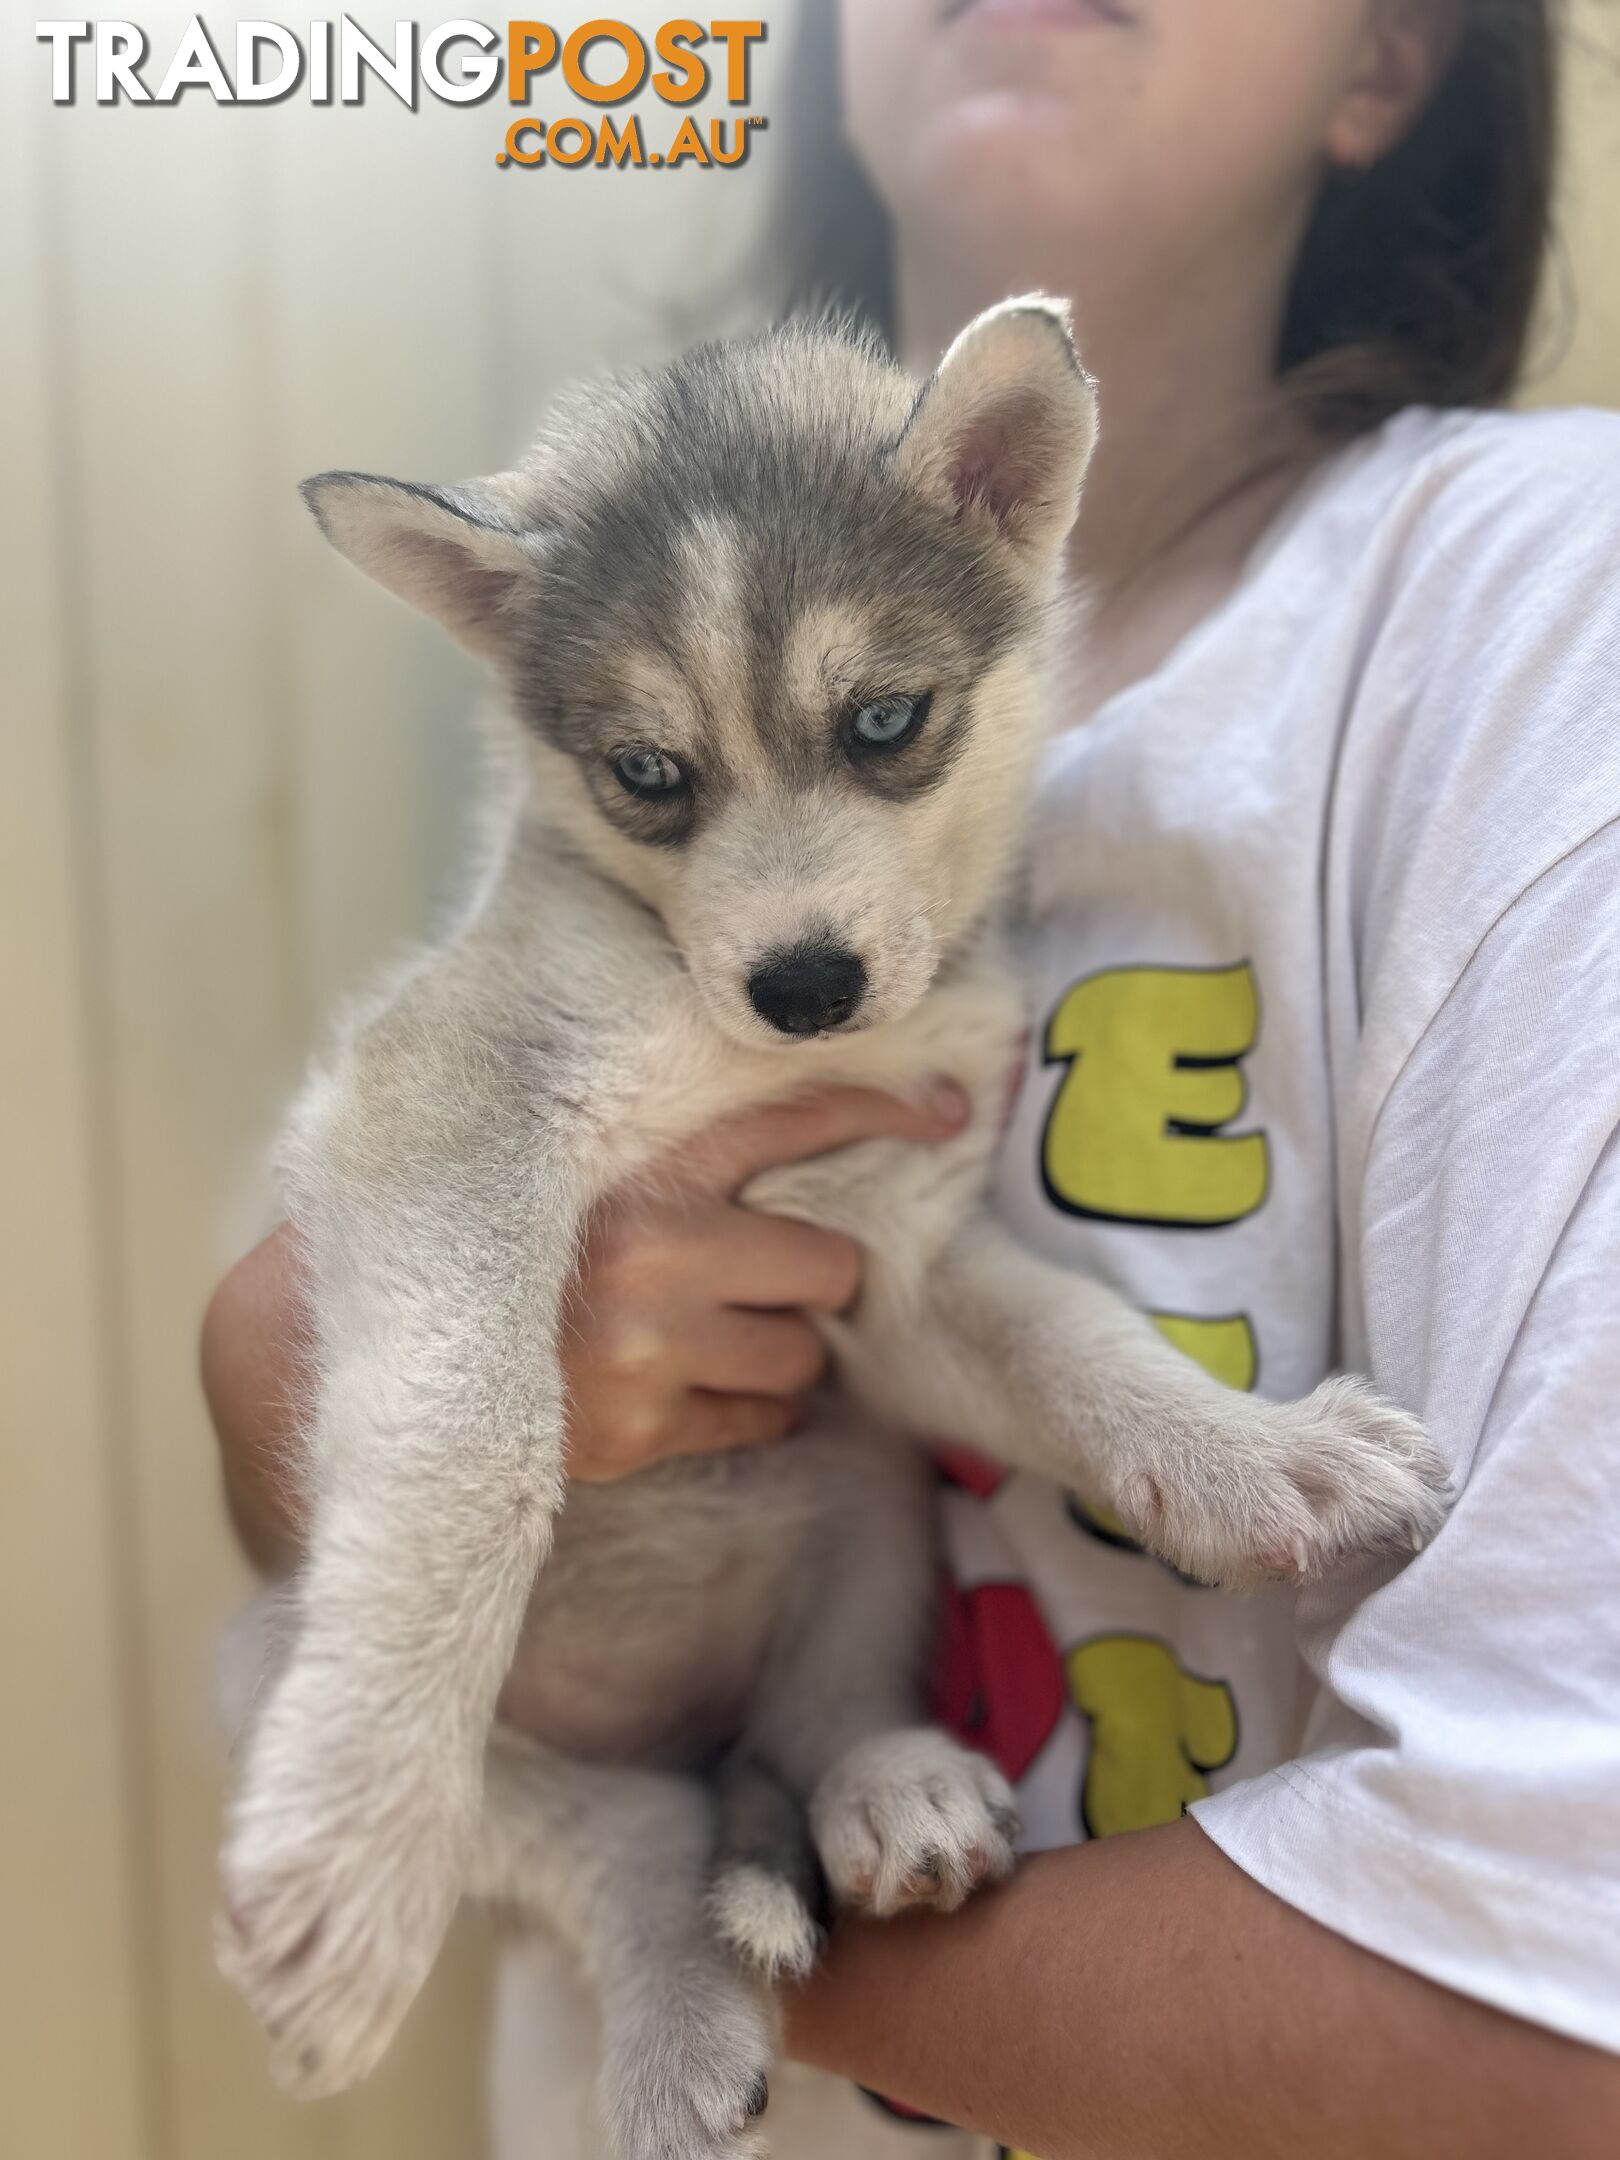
(1325, 1072)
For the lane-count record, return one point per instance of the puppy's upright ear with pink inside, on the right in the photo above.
(1005, 429)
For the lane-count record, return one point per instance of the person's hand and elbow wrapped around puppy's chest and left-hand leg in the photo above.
(684, 1329)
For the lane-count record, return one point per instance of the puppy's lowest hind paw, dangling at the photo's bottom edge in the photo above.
(688, 2066)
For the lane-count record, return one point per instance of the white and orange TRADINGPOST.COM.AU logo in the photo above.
(461, 64)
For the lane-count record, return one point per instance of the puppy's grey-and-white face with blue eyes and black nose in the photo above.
(805, 744)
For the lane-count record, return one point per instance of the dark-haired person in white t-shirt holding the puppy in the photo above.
(1323, 921)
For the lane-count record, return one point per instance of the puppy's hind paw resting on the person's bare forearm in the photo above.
(913, 1820)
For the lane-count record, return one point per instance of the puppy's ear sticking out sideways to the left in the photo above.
(448, 552)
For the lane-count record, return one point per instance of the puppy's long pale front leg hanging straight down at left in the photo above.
(435, 1470)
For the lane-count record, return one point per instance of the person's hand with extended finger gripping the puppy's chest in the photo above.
(686, 1329)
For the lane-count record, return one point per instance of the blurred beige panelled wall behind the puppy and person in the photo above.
(224, 794)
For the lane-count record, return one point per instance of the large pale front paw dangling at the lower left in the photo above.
(340, 1876)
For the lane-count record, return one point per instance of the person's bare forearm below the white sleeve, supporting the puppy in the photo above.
(1142, 1999)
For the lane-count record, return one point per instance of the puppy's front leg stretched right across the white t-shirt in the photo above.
(1059, 1375)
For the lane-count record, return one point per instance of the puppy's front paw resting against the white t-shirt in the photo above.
(1284, 1491)
